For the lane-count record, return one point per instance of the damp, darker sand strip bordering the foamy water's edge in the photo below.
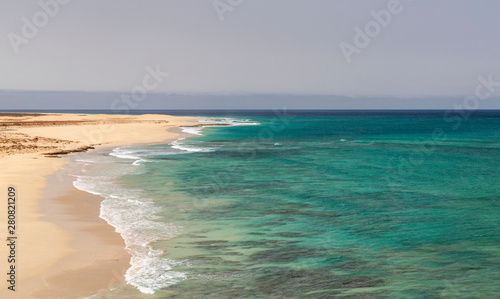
(98, 257)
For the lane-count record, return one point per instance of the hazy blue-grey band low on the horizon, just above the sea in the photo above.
(123, 102)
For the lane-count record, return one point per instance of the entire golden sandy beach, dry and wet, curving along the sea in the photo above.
(61, 240)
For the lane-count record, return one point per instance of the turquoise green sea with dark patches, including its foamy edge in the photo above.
(309, 207)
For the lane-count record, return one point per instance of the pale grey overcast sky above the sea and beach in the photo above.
(369, 50)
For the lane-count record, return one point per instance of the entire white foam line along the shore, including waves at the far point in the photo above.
(133, 215)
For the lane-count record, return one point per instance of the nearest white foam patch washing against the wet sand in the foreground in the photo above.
(133, 217)
